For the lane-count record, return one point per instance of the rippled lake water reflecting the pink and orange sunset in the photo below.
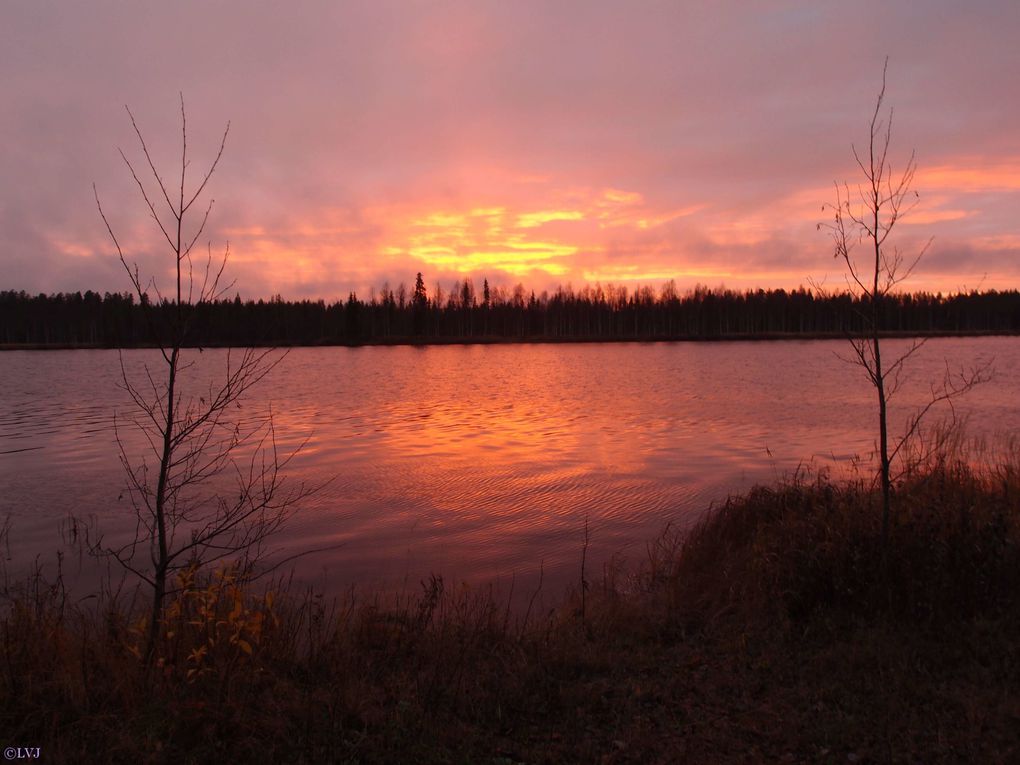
(483, 463)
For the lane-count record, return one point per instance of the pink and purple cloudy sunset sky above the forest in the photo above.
(536, 142)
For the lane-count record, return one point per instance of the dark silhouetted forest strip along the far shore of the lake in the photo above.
(461, 315)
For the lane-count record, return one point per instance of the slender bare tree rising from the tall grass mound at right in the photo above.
(866, 216)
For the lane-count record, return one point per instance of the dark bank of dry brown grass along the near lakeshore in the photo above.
(779, 630)
